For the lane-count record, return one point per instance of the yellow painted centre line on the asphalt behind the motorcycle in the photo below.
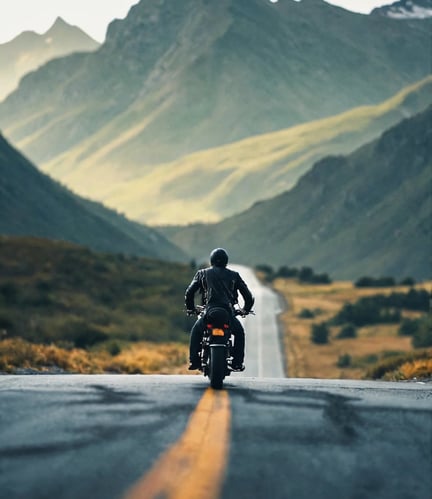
(194, 467)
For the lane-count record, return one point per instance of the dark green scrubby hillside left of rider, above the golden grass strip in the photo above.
(56, 292)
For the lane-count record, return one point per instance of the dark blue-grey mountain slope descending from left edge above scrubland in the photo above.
(33, 204)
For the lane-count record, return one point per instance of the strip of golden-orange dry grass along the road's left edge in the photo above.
(138, 358)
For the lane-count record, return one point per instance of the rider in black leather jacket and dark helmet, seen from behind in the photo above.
(219, 287)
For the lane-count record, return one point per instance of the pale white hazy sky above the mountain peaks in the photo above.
(93, 16)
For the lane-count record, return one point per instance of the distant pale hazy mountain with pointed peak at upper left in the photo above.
(29, 50)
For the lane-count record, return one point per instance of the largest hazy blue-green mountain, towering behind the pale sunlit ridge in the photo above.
(173, 78)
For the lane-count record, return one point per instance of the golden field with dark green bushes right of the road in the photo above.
(343, 330)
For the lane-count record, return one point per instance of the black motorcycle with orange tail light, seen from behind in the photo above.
(217, 345)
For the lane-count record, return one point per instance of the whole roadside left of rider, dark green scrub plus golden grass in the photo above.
(64, 307)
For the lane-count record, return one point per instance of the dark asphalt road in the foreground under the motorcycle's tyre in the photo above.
(75, 436)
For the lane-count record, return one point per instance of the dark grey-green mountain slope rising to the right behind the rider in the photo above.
(368, 213)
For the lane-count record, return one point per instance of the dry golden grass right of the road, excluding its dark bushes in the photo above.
(306, 359)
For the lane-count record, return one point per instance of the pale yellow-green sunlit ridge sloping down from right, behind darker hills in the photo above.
(211, 184)
